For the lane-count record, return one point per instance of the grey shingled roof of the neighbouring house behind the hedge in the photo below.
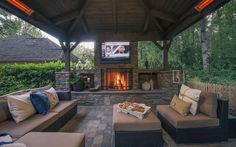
(25, 48)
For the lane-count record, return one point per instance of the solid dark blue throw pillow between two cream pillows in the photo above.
(40, 102)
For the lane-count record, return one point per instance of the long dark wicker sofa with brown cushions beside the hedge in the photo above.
(50, 122)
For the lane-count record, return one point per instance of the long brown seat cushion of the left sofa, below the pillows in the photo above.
(34, 123)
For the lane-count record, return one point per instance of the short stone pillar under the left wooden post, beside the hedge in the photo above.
(62, 81)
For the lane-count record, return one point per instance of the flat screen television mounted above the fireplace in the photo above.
(115, 52)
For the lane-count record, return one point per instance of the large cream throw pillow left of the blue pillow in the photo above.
(20, 106)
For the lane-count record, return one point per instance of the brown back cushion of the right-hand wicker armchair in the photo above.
(208, 104)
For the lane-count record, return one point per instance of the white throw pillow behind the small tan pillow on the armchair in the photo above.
(190, 95)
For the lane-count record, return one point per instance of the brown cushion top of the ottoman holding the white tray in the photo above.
(125, 122)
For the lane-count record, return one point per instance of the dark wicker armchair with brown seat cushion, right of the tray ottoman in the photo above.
(195, 129)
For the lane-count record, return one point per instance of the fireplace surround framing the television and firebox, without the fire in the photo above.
(132, 65)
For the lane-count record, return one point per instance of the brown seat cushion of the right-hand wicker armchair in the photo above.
(190, 121)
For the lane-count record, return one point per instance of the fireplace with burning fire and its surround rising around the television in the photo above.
(117, 76)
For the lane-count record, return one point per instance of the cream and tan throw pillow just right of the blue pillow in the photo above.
(52, 97)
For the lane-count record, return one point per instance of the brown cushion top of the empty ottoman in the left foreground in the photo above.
(40, 139)
